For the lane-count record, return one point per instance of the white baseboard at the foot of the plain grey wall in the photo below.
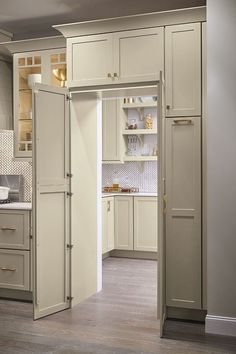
(225, 326)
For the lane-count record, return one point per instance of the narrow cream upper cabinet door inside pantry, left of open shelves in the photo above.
(111, 131)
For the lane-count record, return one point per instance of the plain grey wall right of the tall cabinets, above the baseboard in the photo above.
(221, 145)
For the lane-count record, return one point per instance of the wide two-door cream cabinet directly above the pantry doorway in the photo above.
(114, 58)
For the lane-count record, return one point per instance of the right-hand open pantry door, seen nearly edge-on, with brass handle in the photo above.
(161, 206)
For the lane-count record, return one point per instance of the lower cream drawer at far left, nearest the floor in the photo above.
(14, 269)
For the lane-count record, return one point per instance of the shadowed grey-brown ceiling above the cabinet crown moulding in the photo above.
(31, 18)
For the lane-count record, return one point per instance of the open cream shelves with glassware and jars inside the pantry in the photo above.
(140, 132)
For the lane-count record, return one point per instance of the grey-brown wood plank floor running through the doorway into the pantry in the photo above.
(119, 320)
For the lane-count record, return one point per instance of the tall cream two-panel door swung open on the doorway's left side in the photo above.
(51, 200)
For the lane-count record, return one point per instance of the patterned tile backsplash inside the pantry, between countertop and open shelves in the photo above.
(133, 174)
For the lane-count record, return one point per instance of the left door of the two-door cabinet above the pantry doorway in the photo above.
(90, 60)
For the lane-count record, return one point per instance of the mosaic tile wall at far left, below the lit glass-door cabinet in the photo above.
(10, 166)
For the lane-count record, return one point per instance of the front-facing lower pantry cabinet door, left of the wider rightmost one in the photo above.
(124, 239)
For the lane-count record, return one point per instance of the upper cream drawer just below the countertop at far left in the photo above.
(14, 230)
